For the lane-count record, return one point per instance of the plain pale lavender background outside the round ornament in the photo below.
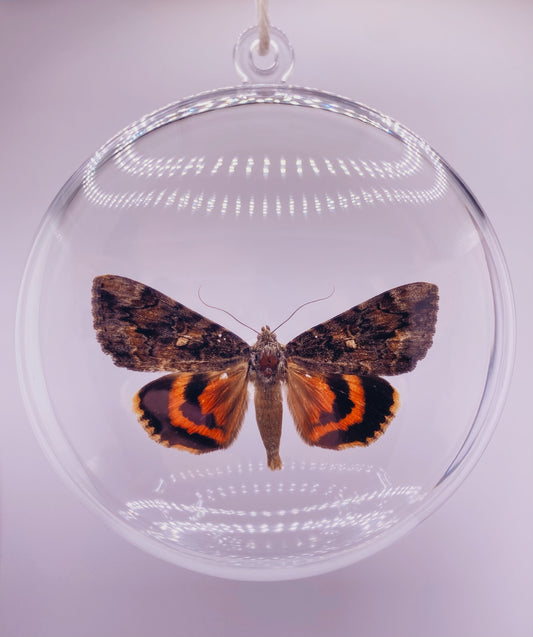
(459, 74)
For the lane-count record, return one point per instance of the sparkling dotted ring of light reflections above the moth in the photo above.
(332, 183)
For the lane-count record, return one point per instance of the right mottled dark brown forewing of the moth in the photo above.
(387, 334)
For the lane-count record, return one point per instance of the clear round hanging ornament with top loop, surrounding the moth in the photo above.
(265, 196)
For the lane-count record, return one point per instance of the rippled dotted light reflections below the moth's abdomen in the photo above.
(287, 518)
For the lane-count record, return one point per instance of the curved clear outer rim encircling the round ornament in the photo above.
(498, 376)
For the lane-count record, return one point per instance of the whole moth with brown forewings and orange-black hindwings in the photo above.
(332, 372)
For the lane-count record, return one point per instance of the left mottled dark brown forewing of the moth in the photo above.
(144, 330)
